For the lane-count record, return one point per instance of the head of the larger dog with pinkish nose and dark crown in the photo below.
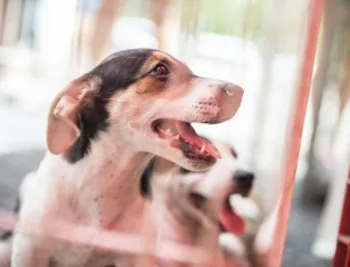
(143, 98)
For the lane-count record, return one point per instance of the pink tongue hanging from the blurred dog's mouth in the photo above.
(231, 221)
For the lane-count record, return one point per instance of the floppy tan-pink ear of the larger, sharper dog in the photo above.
(62, 127)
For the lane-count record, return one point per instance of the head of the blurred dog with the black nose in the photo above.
(206, 193)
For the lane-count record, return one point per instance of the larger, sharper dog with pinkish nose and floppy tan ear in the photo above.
(102, 131)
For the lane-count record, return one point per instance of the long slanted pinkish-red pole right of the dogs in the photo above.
(274, 258)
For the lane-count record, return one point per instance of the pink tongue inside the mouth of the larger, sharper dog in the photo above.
(189, 134)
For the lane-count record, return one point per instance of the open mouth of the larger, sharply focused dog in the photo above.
(182, 136)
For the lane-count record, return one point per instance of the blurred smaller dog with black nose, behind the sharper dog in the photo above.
(193, 208)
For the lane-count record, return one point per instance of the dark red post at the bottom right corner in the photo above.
(342, 252)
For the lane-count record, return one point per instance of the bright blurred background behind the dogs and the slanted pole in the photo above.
(255, 43)
